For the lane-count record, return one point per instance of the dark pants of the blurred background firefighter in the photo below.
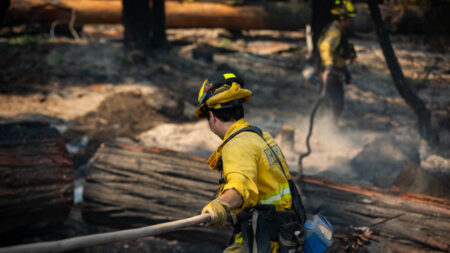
(334, 94)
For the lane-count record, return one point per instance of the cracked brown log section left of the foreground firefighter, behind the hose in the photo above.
(132, 186)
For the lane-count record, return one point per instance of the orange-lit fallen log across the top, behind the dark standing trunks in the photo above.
(178, 14)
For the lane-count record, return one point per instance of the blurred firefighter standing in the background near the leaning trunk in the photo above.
(334, 50)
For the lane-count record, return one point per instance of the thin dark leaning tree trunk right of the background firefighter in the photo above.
(422, 113)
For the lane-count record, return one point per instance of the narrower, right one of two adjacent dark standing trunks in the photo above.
(159, 24)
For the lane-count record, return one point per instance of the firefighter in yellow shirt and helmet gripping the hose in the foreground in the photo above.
(255, 192)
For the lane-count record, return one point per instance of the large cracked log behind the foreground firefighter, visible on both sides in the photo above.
(130, 186)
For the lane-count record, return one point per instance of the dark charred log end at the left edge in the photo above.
(36, 179)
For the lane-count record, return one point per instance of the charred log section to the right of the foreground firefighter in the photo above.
(422, 220)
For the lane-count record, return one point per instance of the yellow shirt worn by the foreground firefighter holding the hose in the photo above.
(250, 168)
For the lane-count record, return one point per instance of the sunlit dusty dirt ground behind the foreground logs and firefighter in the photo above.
(92, 90)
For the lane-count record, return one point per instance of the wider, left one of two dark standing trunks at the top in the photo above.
(135, 17)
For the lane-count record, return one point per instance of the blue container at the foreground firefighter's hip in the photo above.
(318, 234)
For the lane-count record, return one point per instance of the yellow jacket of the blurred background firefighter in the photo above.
(330, 48)
